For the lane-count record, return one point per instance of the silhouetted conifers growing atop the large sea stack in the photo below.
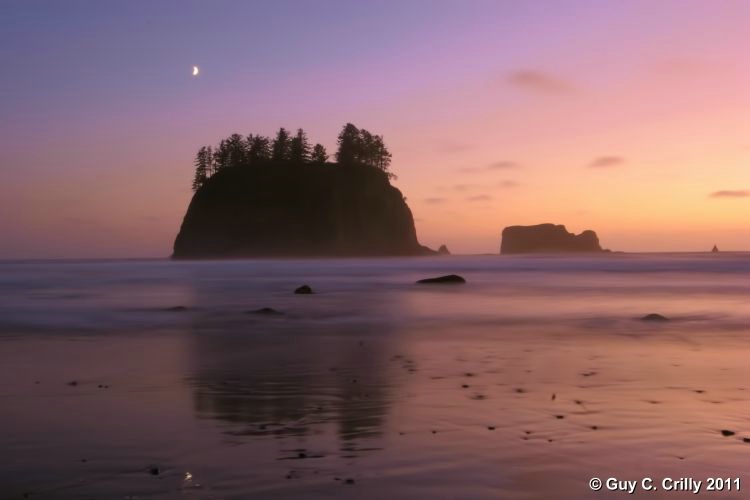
(355, 147)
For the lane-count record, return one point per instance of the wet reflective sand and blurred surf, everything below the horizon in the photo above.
(158, 379)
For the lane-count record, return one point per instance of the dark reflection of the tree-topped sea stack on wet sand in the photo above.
(290, 378)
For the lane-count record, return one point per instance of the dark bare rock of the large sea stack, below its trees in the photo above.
(278, 210)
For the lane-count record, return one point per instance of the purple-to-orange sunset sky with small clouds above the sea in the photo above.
(631, 118)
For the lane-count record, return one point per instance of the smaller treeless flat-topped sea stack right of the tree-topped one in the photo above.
(547, 238)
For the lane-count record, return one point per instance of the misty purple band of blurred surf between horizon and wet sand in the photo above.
(79, 297)
